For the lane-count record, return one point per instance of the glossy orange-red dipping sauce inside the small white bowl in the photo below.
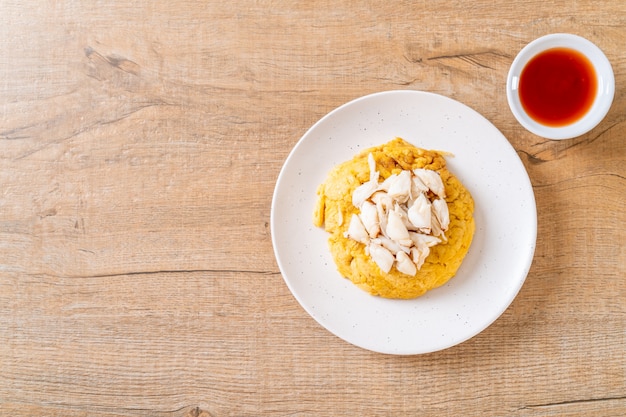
(557, 87)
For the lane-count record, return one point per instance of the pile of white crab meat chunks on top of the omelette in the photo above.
(400, 218)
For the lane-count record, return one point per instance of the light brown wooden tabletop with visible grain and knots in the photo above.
(139, 147)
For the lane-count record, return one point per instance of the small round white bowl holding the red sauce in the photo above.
(602, 101)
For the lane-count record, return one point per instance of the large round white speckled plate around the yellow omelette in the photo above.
(498, 260)
